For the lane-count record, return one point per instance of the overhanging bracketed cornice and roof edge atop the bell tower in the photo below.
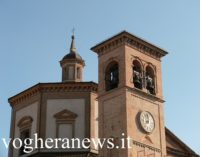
(126, 38)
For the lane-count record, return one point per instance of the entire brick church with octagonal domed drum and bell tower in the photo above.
(126, 102)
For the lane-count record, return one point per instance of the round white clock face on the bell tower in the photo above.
(147, 121)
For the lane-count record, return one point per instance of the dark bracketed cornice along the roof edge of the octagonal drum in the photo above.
(53, 87)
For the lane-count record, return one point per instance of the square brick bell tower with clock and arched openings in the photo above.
(130, 96)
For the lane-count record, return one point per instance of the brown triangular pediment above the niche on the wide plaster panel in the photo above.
(65, 114)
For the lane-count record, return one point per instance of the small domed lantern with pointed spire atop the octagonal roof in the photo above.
(72, 65)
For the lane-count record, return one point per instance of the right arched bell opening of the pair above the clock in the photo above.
(150, 80)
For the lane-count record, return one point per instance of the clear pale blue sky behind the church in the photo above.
(36, 34)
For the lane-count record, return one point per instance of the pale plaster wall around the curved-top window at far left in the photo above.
(31, 110)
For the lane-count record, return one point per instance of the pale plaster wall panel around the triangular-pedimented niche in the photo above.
(74, 105)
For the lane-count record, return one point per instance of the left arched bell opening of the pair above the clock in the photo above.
(137, 74)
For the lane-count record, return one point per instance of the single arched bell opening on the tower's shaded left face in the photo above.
(112, 76)
